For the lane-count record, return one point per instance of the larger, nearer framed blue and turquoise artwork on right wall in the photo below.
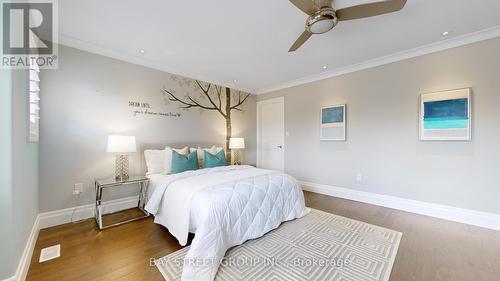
(446, 116)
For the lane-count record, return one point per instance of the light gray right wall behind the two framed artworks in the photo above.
(382, 131)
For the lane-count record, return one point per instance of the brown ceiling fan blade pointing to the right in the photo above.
(370, 9)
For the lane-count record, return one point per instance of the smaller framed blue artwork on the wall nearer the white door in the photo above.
(333, 123)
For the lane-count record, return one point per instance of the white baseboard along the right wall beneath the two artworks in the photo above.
(477, 218)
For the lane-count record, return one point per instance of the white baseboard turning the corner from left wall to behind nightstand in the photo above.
(53, 218)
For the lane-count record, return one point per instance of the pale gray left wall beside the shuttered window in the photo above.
(19, 172)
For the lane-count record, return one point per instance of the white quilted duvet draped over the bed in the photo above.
(224, 207)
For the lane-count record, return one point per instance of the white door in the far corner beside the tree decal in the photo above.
(271, 134)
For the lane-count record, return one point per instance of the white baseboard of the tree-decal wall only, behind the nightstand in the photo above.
(58, 217)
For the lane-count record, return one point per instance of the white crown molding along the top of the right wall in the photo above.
(470, 38)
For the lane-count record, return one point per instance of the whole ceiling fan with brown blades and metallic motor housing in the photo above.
(323, 17)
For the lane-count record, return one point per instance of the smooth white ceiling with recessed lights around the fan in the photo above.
(224, 41)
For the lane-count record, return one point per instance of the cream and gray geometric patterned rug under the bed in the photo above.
(319, 246)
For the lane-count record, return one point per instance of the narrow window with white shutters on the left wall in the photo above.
(34, 103)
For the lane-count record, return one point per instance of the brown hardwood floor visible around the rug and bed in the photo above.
(431, 249)
